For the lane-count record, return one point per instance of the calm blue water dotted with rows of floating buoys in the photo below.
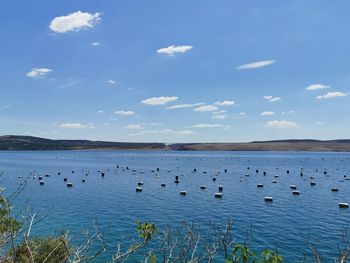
(113, 202)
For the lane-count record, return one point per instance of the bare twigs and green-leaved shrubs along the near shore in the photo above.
(149, 244)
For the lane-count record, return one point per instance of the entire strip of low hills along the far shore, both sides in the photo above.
(12, 142)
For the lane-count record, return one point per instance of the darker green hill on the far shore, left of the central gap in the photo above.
(13, 142)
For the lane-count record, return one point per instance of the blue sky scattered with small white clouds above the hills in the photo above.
(175, 71)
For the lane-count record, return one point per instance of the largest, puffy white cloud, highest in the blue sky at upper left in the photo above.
(74, 22)
